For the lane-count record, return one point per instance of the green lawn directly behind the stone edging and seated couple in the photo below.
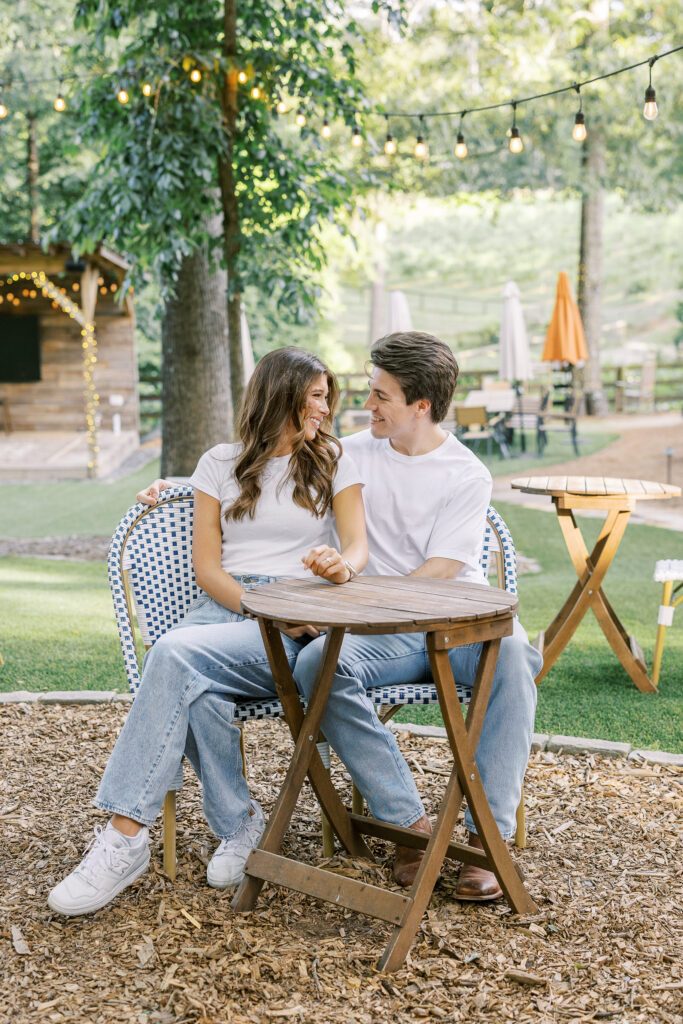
(59, 633)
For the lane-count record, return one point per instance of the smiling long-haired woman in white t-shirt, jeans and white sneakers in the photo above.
(265, 509)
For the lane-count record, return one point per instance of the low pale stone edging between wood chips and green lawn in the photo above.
(541, 742)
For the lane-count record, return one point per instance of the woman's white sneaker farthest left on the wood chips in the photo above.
(110, 866)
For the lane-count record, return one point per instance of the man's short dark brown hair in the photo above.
(424, 367)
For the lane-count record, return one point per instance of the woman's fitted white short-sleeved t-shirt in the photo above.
(281, 534)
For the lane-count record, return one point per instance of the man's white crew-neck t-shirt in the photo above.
(424, 506)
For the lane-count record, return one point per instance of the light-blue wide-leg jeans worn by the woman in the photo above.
(192, 678)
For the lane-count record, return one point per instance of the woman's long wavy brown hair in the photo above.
(276, 400)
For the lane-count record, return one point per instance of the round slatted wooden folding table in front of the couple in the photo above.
(451, 614)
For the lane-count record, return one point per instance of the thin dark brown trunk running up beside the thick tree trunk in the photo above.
(230, 204)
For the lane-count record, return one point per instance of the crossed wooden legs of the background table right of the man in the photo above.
(591, 570)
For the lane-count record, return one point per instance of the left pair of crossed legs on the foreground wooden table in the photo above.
(306, 759)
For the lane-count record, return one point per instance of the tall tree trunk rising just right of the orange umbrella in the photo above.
(590, 269)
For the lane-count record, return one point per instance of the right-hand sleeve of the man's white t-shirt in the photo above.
(458, 533)
